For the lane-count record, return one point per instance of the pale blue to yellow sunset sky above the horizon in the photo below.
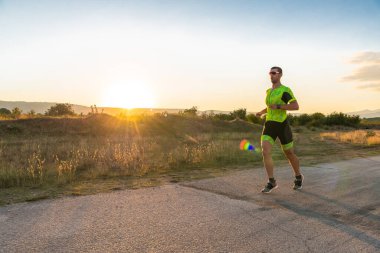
(213, 54)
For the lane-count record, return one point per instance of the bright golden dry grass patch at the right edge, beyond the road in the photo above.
(364, 137)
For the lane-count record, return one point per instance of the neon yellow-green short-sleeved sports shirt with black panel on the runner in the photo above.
(282, 95)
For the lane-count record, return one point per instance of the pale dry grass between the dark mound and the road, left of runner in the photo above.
(54, 166)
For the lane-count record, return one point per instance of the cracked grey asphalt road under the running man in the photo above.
(338, 210)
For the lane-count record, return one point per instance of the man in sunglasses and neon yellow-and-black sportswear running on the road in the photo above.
(279, 99)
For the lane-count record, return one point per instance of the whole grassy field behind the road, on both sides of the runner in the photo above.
(52, 157)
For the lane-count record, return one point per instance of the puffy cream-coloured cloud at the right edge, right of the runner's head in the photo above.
(368, 72)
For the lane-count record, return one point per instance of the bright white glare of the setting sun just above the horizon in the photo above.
(128, 95)
